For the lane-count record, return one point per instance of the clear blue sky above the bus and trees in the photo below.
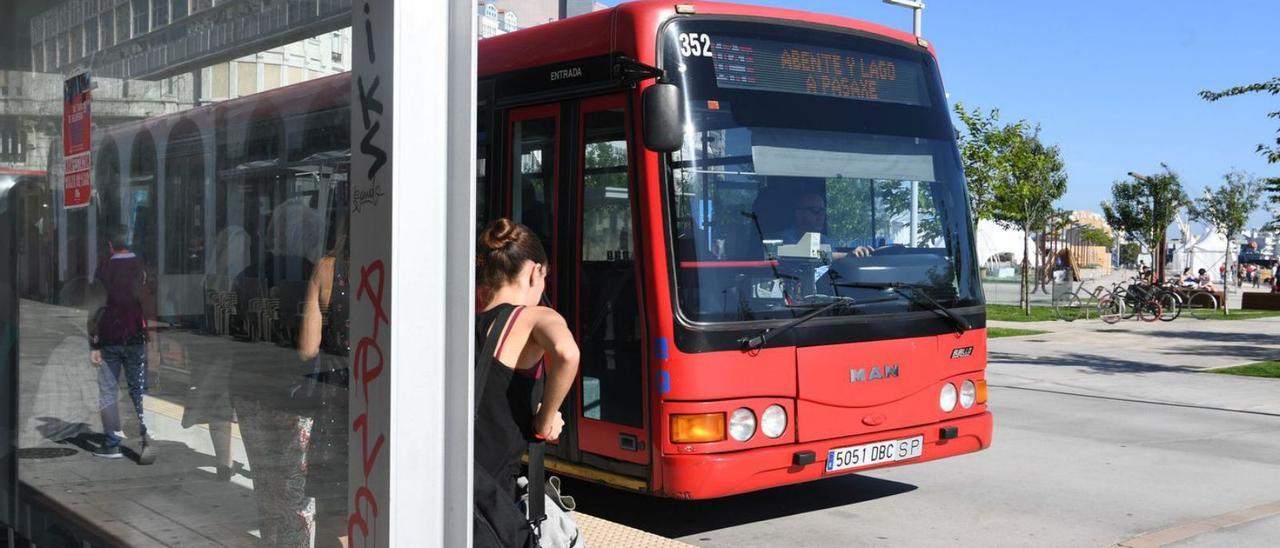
(1113, 83)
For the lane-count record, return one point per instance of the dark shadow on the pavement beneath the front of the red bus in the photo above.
(675, 519)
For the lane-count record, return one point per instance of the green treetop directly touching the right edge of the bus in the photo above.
(985, 153)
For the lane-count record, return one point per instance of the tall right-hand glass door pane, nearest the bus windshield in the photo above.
(612, 383)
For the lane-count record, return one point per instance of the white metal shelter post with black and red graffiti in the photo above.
(412, 268)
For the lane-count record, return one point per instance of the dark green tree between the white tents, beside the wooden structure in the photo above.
(1144, 209)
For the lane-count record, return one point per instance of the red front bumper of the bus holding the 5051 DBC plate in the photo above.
(694, 477)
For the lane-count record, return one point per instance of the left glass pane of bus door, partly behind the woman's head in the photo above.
(532, 195)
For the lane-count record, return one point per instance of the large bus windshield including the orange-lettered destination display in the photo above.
(817, 167)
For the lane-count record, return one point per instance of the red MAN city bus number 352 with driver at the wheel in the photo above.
(760, 232)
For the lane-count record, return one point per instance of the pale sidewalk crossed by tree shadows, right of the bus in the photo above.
(1128, 362)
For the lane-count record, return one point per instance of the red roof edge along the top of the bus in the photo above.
(600, 34)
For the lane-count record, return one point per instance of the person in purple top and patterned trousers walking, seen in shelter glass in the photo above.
(118, 340)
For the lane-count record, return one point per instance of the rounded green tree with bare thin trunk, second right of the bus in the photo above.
(1026, 199)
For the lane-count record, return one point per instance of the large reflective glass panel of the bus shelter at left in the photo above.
(208, 225)
